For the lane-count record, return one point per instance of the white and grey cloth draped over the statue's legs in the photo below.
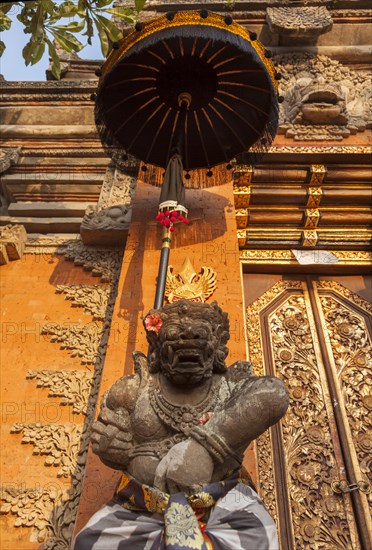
(239, 521)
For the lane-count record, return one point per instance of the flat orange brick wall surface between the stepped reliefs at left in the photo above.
(28, 301)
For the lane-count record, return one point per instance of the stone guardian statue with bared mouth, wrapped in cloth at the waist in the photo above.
(178, 429)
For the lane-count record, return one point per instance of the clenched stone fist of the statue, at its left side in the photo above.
(112, 438)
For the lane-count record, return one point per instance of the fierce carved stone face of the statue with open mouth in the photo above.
(187, 350)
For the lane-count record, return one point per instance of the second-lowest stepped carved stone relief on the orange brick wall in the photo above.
(59, 443)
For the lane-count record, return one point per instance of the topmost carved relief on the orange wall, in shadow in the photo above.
(101, 262)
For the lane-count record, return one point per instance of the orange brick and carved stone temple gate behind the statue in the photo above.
(288, 239)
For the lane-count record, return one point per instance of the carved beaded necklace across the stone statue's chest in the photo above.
(181, 417)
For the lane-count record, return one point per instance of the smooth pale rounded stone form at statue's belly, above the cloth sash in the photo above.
(186, 467)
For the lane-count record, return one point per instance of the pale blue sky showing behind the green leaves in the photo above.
(12, 64)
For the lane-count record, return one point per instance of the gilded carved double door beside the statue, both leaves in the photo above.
(315, 334)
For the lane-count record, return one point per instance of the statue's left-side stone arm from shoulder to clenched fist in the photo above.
(112, 434)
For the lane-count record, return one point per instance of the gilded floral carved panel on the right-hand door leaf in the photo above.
(351, 348)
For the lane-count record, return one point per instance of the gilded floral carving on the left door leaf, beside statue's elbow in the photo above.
(319, 516)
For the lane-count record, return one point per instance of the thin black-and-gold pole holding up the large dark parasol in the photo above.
(184, 100)
